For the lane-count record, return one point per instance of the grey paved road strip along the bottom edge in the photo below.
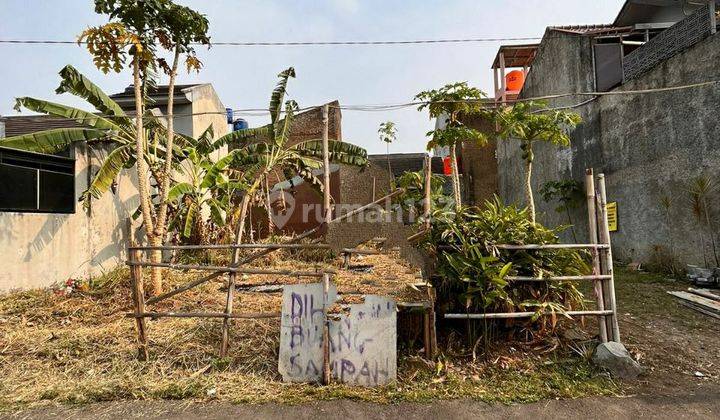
(704, 403)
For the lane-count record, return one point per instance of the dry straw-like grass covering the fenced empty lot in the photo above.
(80, 348)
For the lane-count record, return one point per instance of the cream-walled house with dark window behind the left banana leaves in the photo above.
(47, 236)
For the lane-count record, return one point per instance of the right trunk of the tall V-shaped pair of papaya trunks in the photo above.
(156, 256)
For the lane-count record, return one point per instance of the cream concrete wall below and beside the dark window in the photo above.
(41, 249)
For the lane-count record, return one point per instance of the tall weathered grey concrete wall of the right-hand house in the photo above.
(648, 146)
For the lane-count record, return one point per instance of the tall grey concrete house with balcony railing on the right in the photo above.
(649, 145)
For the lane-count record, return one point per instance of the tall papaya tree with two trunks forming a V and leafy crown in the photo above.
(135, 29)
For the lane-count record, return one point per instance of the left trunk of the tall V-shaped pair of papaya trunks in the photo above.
(141, 164)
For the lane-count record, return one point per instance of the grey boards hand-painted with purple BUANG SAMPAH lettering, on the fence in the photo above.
(363, 348)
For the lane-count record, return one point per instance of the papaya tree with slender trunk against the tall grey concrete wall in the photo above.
(530, 122)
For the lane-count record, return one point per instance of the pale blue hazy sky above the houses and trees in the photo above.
(245, 76)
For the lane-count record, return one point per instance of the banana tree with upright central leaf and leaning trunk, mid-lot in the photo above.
(260, 151)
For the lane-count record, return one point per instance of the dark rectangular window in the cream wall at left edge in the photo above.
(33, 182)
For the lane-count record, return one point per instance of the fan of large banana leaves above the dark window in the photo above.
(109, 126)
